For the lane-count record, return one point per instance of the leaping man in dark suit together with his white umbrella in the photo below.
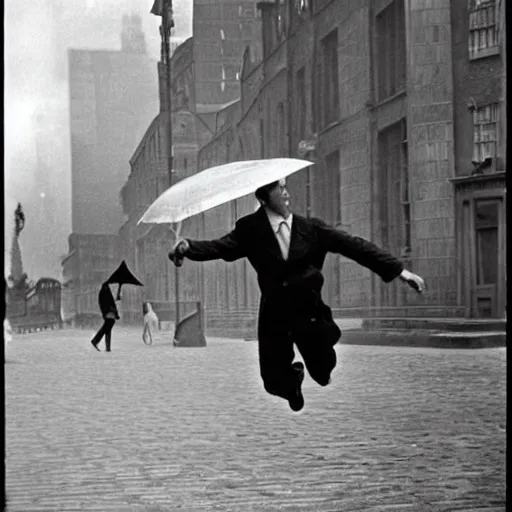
(288, 252)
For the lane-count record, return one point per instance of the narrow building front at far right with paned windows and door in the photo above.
(479, 184)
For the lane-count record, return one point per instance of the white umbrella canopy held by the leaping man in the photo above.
(218, 185)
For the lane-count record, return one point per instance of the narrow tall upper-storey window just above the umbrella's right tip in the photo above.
(330, 87)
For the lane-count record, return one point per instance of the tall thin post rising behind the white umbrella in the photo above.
(163, 8)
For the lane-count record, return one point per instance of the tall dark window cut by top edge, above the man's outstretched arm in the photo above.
(391, 50)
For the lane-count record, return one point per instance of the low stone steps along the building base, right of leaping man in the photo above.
(426, 332)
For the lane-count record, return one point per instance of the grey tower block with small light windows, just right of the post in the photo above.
(222, 29)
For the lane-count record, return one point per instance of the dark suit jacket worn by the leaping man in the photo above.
(291, 289)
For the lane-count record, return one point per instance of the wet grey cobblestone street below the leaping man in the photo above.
(157, 429)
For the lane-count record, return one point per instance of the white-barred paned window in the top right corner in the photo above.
(483, 28)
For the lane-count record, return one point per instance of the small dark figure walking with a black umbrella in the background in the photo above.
(108, 306)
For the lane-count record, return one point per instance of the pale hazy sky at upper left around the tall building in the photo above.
(37, 36)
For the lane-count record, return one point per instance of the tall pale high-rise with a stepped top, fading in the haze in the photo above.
(113, 98)
